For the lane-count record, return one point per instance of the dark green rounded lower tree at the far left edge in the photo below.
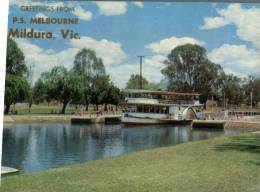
(16, 90)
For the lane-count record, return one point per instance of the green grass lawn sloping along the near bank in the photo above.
(216, 165)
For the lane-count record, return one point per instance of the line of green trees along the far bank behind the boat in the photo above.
(186, 69)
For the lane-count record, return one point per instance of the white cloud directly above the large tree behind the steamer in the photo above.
(164, 46)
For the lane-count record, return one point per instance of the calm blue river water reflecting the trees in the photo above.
(38, 146)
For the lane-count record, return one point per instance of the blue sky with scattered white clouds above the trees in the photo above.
(120, 31)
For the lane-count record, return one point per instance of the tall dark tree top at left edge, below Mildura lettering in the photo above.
(15, 64)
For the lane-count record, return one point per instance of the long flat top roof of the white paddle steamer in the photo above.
(140, 91)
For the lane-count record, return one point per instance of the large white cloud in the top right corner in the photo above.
(246, 22)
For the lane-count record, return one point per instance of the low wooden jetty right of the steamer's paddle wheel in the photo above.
(220, 124)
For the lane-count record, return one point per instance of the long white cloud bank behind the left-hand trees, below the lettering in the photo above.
(43, 60)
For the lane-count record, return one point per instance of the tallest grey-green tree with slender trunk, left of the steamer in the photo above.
(88, 65)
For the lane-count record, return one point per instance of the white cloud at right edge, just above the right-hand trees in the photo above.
(236, 59)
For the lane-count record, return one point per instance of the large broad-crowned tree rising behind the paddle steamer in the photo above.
(187, 69)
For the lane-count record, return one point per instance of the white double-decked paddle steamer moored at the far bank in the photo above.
(159, 107)
